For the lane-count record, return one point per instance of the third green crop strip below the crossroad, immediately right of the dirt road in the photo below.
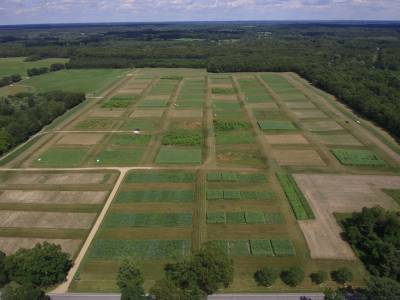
(123, 220)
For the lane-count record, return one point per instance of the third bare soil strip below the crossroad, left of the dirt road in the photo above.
(23, 219)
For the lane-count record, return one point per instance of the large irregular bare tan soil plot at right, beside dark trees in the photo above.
(328, 194)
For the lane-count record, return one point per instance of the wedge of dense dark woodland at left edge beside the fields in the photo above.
(23, 115)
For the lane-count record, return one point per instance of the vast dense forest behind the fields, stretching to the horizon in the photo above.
(358, 62)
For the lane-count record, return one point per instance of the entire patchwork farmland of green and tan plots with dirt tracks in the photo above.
(258, 163)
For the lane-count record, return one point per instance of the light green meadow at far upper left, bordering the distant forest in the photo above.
(17, 65)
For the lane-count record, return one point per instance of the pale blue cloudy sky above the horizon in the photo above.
(65, 11)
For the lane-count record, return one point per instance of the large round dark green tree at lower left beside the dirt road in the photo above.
(43, 265)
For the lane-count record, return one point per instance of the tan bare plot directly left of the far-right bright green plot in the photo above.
(298, 158)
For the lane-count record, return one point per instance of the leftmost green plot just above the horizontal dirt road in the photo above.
(61, 157)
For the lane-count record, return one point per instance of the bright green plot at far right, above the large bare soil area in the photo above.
(357, 157)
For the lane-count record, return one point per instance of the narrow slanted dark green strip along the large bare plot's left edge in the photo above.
(298, 202)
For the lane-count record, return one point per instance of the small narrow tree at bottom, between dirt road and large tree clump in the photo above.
(130, 281)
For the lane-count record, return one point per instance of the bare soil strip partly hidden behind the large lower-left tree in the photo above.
(10, 245)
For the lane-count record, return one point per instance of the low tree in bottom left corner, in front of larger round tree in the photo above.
(15, 291)
